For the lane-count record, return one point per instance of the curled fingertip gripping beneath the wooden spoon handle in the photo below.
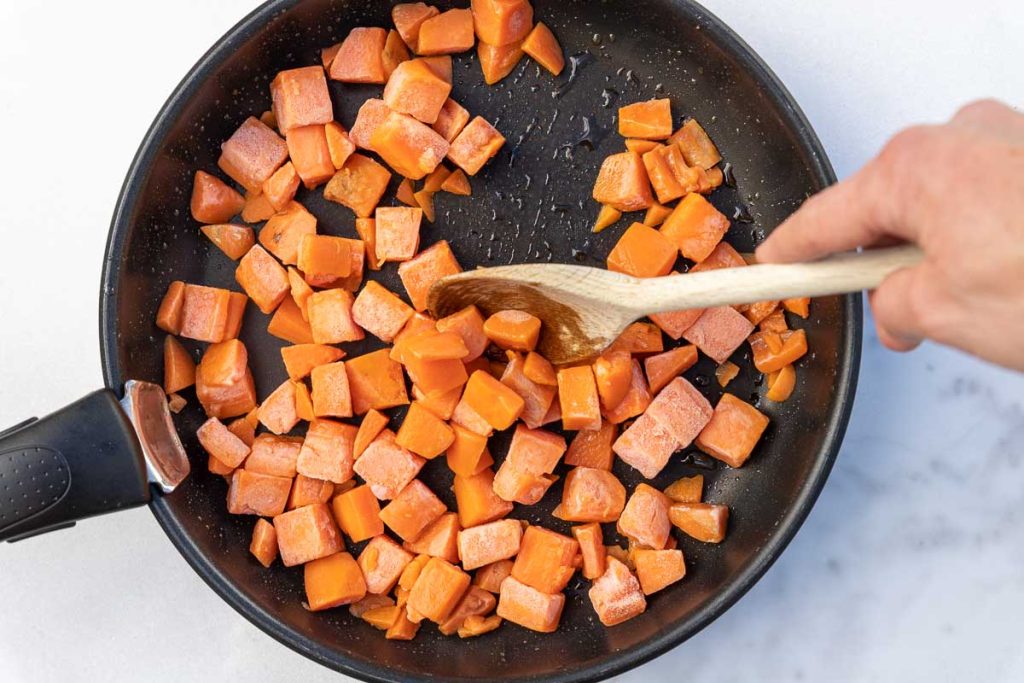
(898, 309)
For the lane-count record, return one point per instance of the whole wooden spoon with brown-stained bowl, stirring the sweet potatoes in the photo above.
(585, 310)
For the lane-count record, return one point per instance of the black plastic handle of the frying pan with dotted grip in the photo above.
(81, 461)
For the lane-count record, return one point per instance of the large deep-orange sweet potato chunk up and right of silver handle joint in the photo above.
(224, 385)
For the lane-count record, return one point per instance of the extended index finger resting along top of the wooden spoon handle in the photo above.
(864, 210)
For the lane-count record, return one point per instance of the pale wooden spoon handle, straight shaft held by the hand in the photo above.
(847, 273)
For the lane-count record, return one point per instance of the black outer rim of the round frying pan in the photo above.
(616, 663)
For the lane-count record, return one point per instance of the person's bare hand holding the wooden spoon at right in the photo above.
(958, 191)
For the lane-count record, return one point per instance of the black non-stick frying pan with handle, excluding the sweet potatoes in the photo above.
(531, 204)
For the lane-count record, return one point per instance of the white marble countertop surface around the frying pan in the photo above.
(910, 567)
